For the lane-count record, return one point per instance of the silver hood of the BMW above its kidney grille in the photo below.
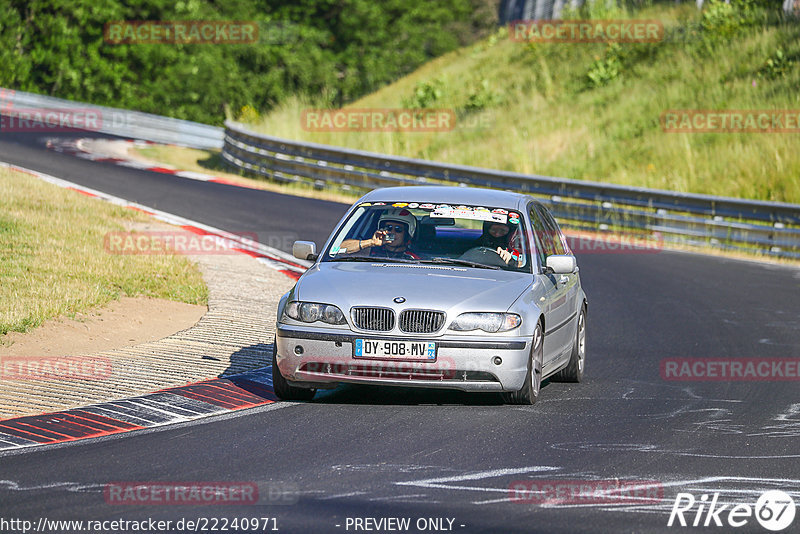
(454, 289)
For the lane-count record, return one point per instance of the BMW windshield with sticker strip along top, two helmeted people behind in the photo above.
(472, 236)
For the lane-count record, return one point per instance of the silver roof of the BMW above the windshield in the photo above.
(449, 195)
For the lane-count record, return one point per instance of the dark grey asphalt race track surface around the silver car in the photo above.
(359, 452)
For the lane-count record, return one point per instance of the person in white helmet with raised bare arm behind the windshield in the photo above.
(392, 239)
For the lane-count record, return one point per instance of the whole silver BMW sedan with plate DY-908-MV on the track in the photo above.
(442, 287)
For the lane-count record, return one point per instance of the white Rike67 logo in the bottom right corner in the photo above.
(774, 510)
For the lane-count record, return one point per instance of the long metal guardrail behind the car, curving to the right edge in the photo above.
(768, 228)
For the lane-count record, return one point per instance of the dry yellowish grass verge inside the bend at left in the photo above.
(53, 262)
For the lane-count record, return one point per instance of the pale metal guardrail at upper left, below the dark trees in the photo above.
(114, 121)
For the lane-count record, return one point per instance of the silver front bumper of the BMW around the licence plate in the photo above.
(463, 362)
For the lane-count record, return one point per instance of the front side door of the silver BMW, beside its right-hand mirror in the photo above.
(553, 303)
